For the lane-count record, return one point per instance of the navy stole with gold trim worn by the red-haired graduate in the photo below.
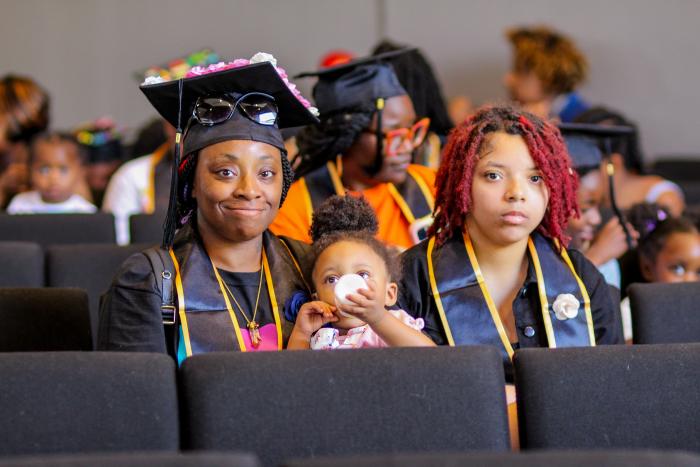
(469, 315)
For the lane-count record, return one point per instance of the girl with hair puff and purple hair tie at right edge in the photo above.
(668, 250)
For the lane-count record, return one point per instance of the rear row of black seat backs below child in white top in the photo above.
(61, 229)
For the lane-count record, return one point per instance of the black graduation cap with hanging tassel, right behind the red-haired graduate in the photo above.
(582, 135)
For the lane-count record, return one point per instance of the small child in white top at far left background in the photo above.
(57, 173)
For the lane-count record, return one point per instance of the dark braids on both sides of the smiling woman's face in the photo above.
(187, 205)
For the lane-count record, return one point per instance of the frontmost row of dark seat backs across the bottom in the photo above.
(365, 402)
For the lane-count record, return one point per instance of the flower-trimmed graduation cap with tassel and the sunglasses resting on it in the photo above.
(239, 100)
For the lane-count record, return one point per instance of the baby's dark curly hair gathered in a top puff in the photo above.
(349, 218)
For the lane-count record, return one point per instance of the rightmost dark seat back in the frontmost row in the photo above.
(609, 397)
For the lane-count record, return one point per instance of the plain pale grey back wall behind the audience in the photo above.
(643, 53)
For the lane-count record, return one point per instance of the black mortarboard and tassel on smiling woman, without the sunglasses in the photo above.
(175, 101)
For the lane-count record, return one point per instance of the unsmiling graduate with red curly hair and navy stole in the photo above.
(495, 269)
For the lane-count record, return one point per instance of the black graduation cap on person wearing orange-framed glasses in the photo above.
(356, 83)
